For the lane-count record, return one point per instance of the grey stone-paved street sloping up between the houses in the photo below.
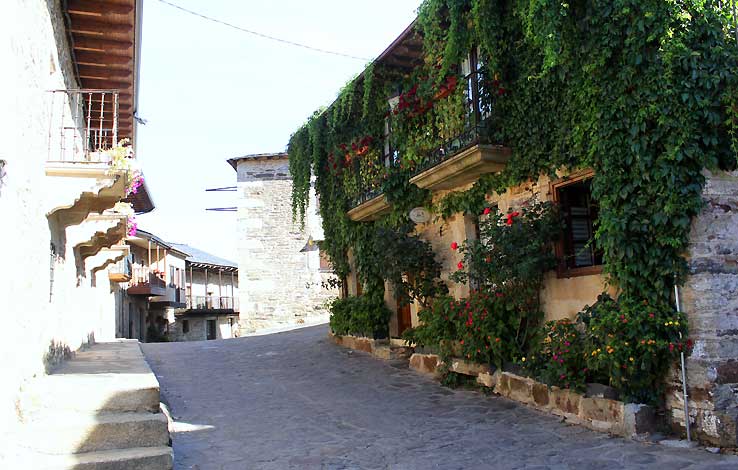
(296, 400)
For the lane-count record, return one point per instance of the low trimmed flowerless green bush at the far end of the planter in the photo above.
(360, 316)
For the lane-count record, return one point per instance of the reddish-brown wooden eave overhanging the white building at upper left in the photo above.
(104, 41)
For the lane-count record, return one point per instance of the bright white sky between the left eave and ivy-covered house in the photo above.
(210, 93)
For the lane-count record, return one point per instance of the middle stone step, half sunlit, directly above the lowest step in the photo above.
(69, 433)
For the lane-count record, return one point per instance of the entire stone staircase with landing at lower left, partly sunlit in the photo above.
(99, 410)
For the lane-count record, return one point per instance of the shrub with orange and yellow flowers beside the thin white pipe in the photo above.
(633, 344)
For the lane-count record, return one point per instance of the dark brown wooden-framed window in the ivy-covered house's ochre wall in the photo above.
(577, 251)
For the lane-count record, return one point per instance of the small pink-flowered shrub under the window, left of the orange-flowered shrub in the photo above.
(560, 358)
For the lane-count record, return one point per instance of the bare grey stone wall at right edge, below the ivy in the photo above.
(710, 300)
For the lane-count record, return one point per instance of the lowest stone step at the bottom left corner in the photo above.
(140, 458)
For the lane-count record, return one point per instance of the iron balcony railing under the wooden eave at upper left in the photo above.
(83, 124)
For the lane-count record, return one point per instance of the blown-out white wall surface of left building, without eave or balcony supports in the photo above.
(52, 305)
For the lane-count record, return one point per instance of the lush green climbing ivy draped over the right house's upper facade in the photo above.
(642, 91)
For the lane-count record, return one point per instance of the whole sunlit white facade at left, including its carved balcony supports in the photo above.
(62, 224)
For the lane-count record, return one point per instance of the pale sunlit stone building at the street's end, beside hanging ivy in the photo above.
(280, 276)
